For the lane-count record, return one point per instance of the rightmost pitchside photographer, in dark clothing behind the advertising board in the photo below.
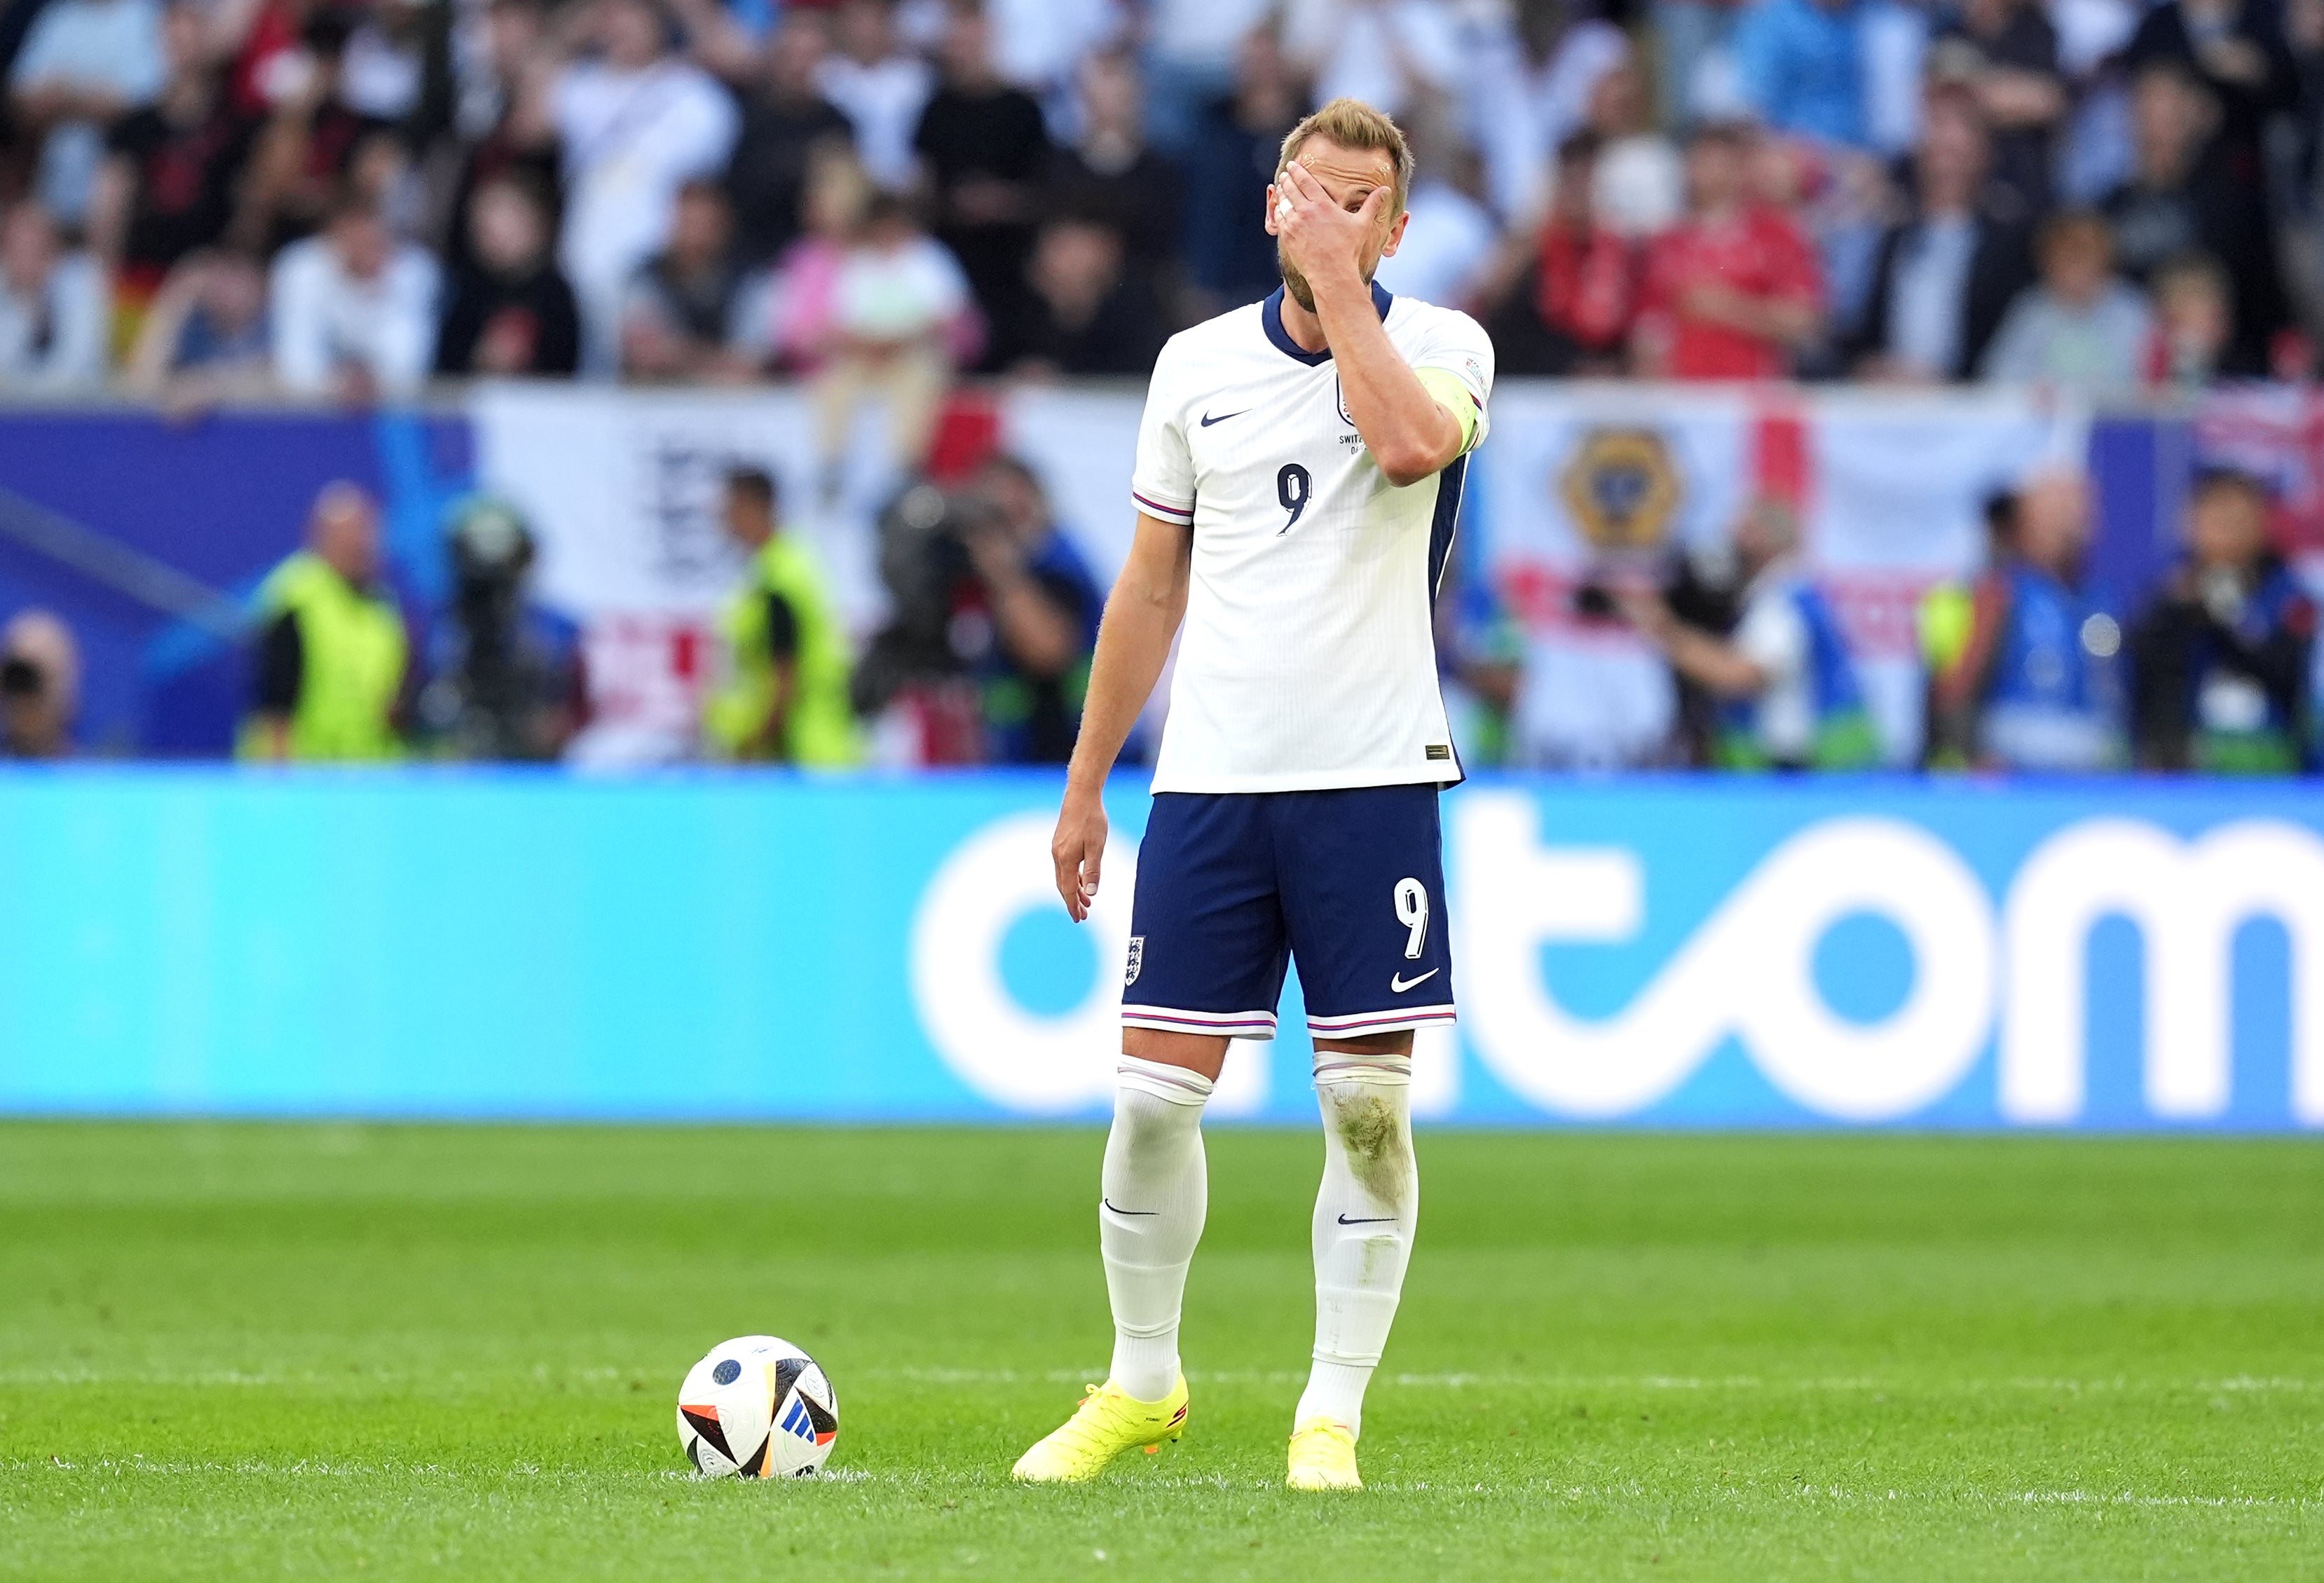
(2221, 657)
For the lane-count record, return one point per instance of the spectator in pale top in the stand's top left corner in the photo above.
(85, 64)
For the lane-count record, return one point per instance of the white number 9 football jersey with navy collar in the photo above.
(1310, 654)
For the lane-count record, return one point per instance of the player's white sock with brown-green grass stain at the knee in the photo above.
(1365, 1219)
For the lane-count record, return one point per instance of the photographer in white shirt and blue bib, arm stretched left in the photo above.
(1786, 692)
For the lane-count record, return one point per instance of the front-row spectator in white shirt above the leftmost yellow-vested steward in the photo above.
(354, 313)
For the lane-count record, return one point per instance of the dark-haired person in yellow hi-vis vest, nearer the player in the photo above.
(784, 692)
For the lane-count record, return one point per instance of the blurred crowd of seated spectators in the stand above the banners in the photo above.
(345, 199)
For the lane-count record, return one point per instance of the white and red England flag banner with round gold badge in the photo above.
(1588, 485)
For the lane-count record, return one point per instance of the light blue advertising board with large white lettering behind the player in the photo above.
(724, 947)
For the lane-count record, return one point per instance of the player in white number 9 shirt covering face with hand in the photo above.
(1298, 482)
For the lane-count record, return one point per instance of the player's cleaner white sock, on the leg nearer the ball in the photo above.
(1156, 1191)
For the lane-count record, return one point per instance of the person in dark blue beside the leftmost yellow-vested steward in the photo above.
(508, 673)
